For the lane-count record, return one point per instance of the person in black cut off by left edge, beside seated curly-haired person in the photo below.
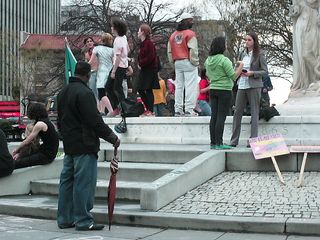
(6, 160)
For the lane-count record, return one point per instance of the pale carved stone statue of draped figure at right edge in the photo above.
(306, 49)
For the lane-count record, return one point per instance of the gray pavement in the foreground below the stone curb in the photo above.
(12, 228)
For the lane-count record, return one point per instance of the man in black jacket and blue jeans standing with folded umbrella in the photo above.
(81, 126)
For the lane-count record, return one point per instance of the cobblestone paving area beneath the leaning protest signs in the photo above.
(252, 194)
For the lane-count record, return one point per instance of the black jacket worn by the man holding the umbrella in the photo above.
(79, 121)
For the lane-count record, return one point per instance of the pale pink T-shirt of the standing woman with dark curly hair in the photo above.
(121, 48)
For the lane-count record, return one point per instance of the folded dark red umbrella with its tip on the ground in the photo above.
(112, 185)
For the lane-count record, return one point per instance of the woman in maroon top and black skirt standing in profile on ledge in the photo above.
(148, 64)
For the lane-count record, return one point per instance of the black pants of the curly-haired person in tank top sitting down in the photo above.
(32, 160)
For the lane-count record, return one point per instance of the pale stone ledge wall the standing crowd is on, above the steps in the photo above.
(195, 130)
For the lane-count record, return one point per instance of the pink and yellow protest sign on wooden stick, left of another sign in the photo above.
(269, 146)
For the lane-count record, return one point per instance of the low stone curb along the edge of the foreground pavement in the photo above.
(179, 221)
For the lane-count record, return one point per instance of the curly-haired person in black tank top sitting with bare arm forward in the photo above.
(44, 129)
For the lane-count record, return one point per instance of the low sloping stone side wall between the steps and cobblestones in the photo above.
(182, 179)
